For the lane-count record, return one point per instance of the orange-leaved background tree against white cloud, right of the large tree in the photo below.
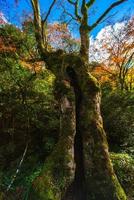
(114, 48)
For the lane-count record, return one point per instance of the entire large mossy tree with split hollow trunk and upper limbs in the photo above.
(79, 168)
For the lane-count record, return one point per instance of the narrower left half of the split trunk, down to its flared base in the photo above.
(59, 169)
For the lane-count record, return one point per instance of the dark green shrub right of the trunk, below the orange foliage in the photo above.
(118, 111)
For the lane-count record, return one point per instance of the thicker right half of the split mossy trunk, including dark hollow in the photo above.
(98, 180)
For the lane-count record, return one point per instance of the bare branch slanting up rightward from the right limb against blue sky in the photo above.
(105, 13)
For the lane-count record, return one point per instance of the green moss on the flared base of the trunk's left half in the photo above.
(55, 176)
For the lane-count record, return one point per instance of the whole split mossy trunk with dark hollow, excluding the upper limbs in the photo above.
(79, 168)
